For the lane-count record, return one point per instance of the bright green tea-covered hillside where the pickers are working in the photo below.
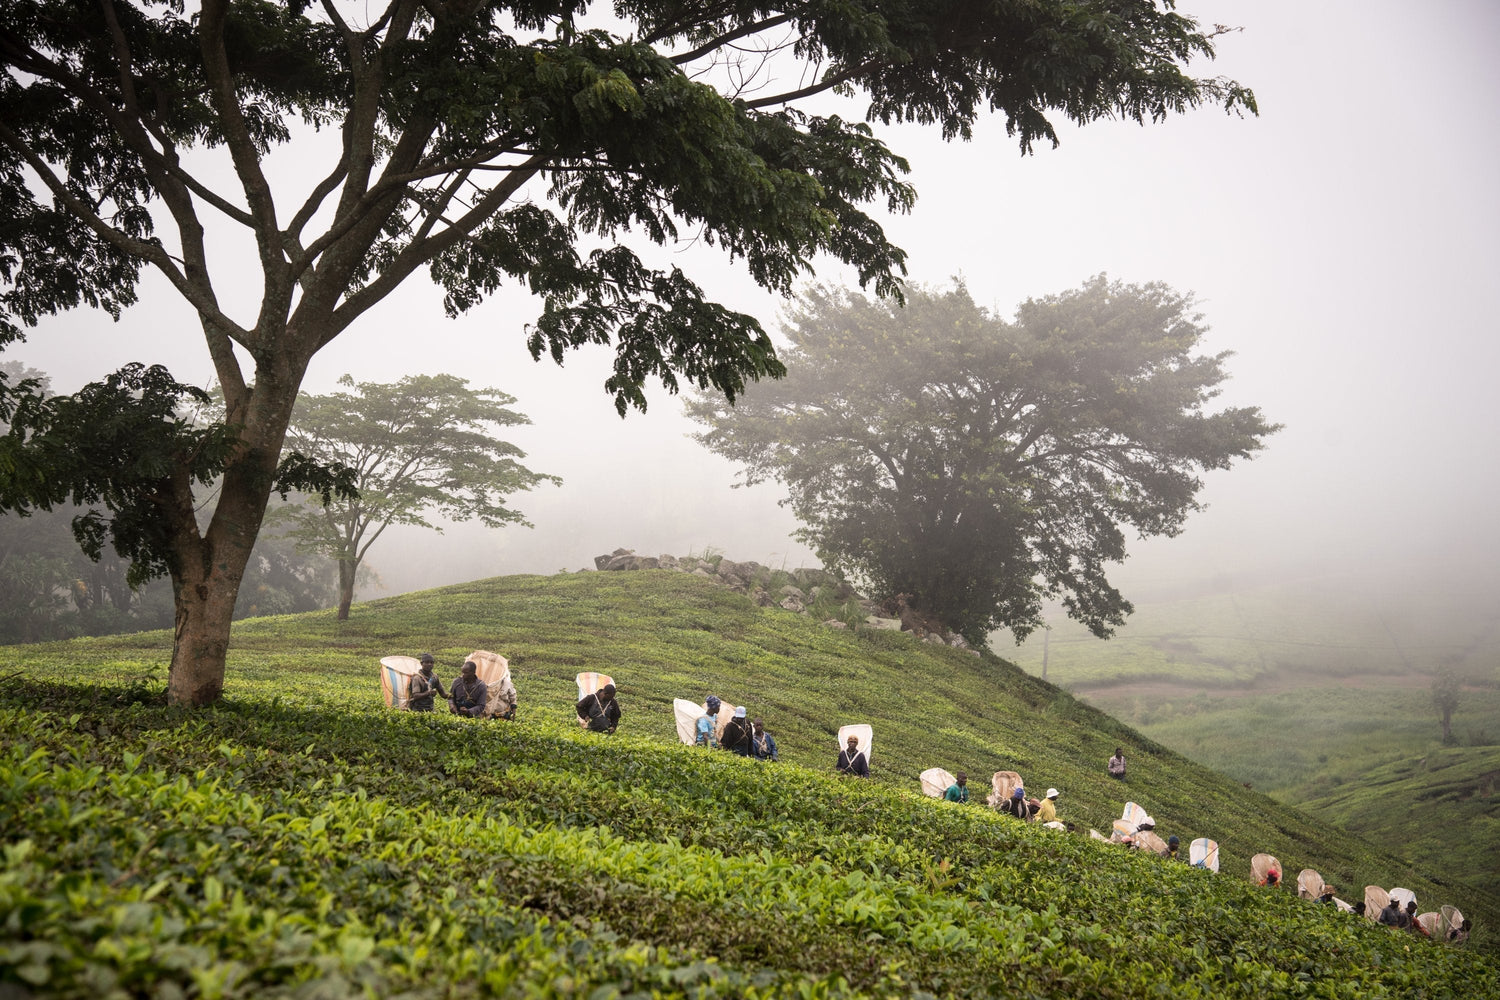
(302, 840)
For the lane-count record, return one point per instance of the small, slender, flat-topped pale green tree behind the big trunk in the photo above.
(425, 446)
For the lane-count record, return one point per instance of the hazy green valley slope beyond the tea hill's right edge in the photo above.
(1319, 696)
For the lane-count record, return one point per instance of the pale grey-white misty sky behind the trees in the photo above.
(1345, 247)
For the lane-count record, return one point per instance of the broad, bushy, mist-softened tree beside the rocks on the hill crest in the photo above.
(971, 467)
